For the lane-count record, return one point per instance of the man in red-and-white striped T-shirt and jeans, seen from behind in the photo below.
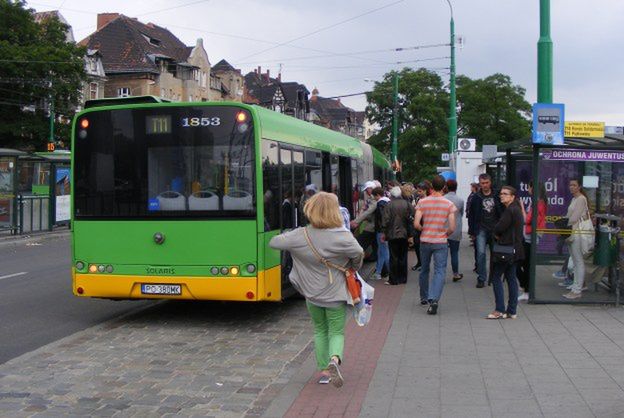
(438, 222)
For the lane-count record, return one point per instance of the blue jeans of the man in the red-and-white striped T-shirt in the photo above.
(439, 253)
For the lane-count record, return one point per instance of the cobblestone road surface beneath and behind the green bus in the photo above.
(192, 359)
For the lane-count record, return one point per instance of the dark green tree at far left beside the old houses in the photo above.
(38, 68)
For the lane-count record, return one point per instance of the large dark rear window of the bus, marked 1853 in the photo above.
(164, 162)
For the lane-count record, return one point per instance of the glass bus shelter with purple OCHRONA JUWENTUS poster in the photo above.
(598, 165)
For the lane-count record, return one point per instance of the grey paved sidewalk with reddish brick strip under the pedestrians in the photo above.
(553, 361)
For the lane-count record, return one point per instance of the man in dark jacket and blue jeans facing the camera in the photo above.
(485, 211)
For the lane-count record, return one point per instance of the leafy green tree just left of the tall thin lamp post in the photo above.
(421, 119)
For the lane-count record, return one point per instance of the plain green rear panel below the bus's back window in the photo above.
(199, 243)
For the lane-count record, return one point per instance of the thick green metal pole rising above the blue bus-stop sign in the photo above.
(544, 56)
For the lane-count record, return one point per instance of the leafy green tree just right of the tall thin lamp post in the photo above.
(492, 109)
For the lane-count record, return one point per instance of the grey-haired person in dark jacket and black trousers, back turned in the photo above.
(395, 223)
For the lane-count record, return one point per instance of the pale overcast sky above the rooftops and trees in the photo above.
(335, 46)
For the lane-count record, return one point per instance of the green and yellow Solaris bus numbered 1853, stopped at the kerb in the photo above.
(180, 200)
